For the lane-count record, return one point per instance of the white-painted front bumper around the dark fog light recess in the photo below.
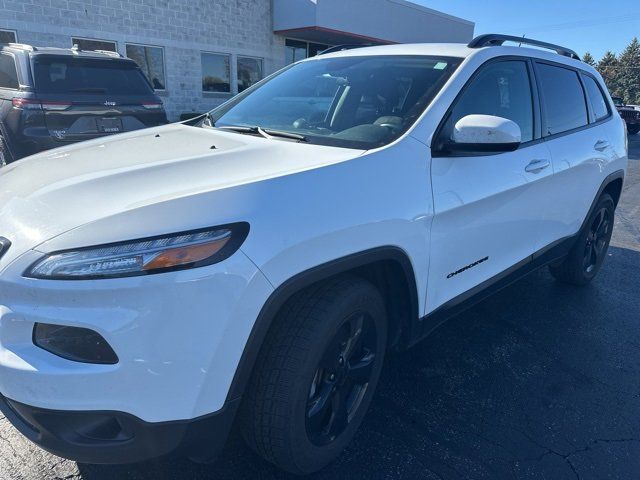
(178, 336)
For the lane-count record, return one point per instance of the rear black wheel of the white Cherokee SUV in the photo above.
(584, 260)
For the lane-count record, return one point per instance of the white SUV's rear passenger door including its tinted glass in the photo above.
(575, 128)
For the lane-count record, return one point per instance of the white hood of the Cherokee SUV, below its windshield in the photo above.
(51, 193)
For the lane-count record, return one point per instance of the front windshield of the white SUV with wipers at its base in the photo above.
(355, 102)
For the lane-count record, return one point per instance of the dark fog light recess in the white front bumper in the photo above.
(74, 343)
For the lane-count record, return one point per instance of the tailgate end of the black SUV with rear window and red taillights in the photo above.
(84, 97)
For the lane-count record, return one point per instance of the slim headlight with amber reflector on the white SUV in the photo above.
(142, 257)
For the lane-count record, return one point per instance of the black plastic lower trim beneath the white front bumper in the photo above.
(116, 437)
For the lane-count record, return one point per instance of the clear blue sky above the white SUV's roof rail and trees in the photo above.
(588, 25)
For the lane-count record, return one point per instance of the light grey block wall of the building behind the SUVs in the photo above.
(184, 28)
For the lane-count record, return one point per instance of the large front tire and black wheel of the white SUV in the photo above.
(316, 375)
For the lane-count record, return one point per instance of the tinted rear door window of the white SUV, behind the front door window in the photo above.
(563, 99)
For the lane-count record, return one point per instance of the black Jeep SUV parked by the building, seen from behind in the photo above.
(50, 97)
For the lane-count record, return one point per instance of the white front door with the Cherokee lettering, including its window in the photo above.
(488, 208)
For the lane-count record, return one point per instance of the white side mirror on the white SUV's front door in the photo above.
(485, 133)
